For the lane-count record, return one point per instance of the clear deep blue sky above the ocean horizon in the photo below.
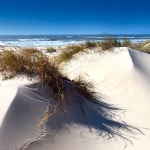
(74, 16)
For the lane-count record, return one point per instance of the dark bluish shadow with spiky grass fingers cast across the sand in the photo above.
(97, 117)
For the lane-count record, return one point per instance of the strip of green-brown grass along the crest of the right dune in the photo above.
(108, 43)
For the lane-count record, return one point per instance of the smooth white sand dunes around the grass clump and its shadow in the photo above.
(122, 77)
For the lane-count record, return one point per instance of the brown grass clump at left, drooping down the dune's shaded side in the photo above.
(32, 62)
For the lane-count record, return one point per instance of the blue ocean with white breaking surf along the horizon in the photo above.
(62, 40)
